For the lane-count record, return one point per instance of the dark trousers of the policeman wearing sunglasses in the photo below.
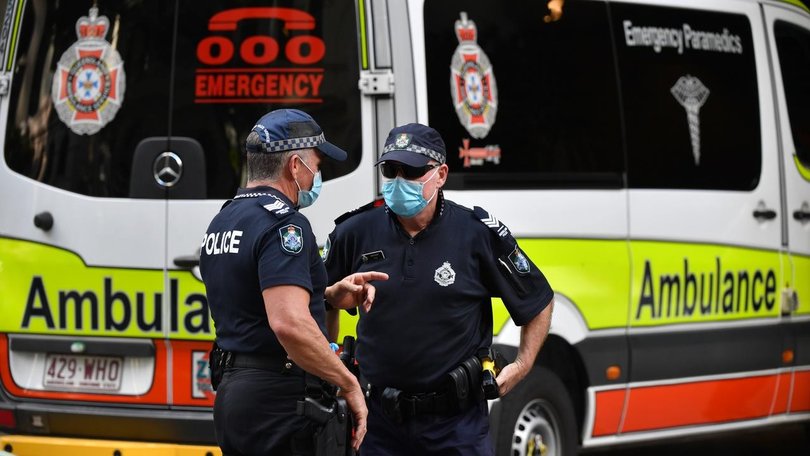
(463, 434)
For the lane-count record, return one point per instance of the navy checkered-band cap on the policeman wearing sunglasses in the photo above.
(414, 145)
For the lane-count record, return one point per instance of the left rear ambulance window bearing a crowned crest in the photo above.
(117, 103)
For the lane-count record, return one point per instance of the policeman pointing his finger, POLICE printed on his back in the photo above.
(266, 285)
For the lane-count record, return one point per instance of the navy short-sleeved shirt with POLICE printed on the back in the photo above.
(257, 241)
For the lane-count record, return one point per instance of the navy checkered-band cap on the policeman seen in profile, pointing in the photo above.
(290, 129)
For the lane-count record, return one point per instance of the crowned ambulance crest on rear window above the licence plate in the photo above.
(89, 81)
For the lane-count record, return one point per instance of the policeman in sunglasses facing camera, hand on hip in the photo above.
(445, 262)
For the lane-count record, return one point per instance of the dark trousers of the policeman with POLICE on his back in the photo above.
(255, 414)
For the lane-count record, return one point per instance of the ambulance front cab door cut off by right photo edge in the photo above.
(789, 39)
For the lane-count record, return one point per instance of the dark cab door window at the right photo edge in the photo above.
(793, 45)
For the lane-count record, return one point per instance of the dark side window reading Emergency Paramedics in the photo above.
(689, 89)
